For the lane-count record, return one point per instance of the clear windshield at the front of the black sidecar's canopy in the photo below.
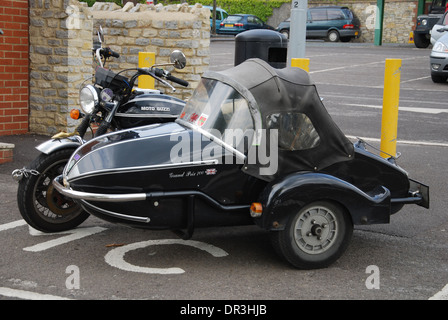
(219, 110)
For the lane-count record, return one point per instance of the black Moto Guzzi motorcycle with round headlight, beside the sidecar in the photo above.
(111, 103)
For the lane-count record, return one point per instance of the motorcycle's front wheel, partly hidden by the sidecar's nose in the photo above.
(40, 205)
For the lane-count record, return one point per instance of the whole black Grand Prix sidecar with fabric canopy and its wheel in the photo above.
(254, 144)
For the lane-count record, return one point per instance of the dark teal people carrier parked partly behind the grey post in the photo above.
(332, 23)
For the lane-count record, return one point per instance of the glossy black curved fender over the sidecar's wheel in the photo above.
(290, 194)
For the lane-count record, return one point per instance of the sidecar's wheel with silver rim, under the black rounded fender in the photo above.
(314, 237)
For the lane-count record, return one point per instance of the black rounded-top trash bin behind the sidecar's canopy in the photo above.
(268, 45)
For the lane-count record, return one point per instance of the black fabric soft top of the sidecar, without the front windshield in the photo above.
(277, 98)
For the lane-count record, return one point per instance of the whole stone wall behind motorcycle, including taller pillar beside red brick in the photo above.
(61, 34)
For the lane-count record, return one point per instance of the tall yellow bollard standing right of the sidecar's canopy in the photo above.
(391, 96)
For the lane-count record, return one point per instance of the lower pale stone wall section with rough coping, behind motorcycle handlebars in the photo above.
(159, 29)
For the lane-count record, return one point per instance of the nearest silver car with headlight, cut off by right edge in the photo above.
(439, 60)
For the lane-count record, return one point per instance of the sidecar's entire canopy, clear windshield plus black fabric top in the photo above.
(278, 112)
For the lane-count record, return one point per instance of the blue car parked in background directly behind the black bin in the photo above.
(237, 23)
